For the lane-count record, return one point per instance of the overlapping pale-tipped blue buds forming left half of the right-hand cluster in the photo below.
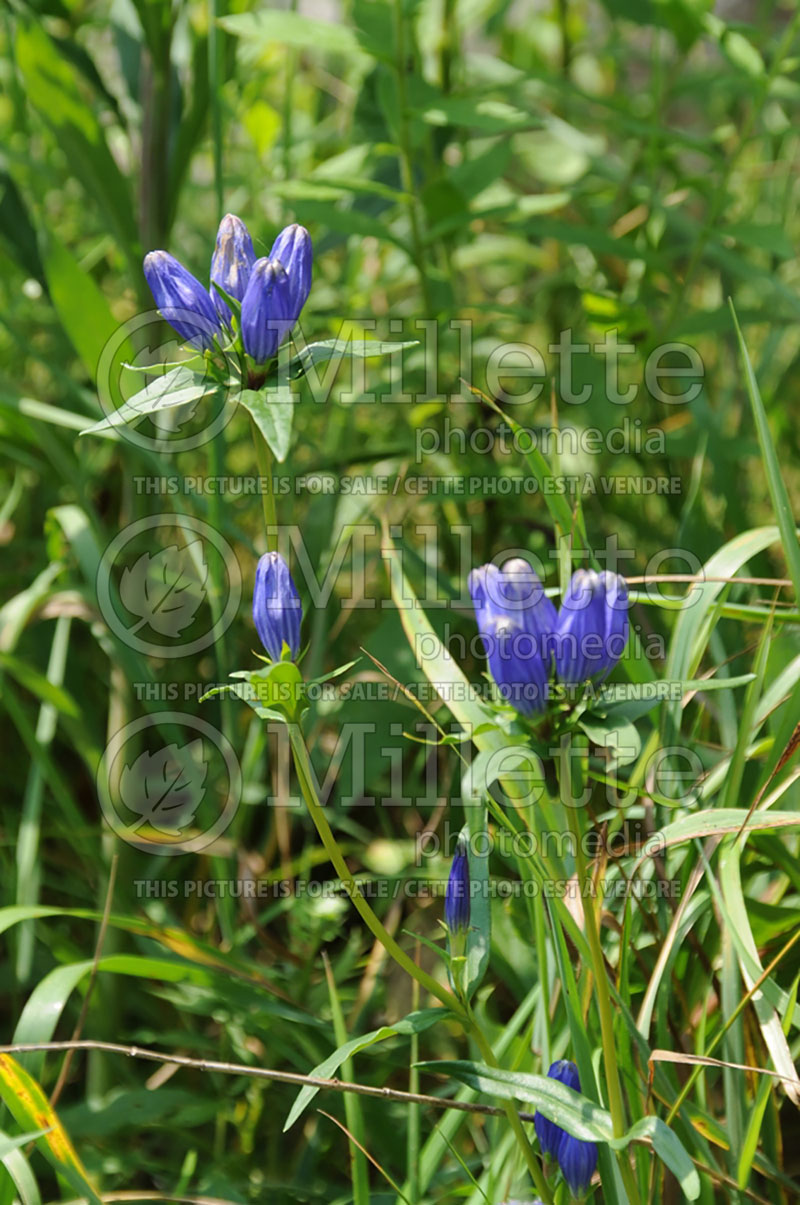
(516, 621)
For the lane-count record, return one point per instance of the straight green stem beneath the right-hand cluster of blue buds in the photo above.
(603, 995)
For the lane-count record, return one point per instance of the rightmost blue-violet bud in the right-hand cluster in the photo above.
(592, 626)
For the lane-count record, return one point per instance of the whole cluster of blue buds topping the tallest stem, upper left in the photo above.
(273, 291)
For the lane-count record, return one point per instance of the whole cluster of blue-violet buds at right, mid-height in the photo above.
(525, 638)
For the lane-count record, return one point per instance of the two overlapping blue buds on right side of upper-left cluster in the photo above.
(277, 293)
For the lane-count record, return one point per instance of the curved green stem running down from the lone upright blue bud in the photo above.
(317, 813)
